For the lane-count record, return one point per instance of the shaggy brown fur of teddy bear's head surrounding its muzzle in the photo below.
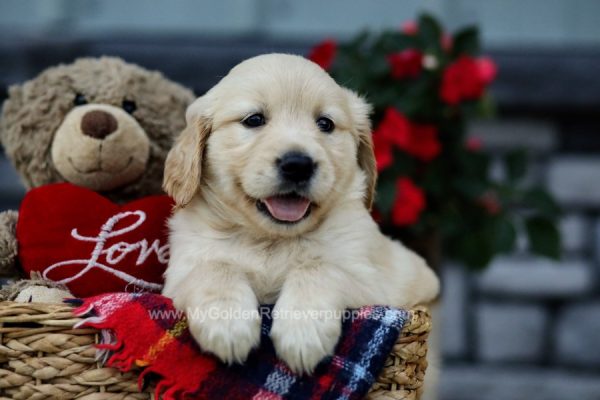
(34, 111)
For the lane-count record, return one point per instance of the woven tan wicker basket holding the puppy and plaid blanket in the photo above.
(43, 357)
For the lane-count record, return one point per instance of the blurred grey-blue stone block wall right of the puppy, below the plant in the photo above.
(528, 327)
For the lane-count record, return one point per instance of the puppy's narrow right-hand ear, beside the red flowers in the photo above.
(366, 157)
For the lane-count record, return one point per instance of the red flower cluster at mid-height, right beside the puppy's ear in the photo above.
(396, 131)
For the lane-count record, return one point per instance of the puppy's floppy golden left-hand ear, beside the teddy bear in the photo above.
(183, 166)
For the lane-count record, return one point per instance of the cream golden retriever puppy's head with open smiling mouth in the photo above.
(276, 145)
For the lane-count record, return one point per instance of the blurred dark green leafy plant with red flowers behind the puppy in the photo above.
(424, 84)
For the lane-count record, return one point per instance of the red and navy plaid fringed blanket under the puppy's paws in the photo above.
(144, 330)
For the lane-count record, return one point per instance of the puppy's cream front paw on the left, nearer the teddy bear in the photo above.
(229, 331)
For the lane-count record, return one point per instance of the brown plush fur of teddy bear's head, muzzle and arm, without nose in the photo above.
(38, 109)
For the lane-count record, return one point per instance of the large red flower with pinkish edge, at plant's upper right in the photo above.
(466, 79)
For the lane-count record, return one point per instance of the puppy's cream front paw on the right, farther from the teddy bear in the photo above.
(303, 342)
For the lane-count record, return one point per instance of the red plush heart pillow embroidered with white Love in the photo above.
(79, 238)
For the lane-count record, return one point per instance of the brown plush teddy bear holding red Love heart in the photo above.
(89, 140)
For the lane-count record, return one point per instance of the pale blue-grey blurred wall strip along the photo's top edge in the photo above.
(505, 23)
